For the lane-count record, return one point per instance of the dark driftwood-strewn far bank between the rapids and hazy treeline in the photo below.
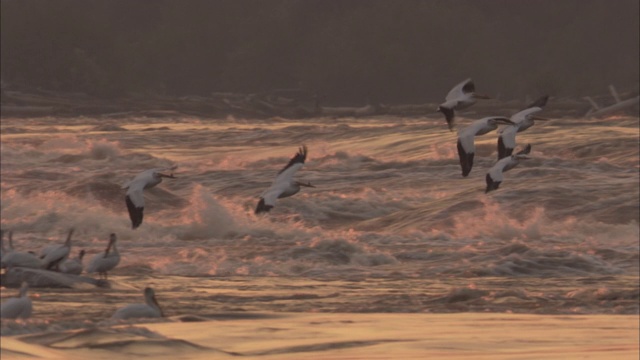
(290, 104)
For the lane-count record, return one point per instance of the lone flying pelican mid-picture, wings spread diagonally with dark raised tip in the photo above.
(284, 185)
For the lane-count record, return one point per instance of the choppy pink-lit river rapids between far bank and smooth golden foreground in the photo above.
(390, 227)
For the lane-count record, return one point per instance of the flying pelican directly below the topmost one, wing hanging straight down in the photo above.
(466, 144)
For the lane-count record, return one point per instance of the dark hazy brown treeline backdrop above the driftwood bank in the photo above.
(344, 50)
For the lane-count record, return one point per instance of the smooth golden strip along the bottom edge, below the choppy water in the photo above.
(347, 336)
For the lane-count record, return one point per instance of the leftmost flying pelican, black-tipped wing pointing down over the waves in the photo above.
(135, 199)
